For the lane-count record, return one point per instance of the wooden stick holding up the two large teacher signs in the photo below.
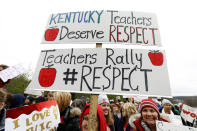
(93, 106)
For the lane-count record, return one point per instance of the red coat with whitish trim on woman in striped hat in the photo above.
(136, 122)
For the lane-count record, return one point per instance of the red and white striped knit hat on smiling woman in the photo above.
(149, 103)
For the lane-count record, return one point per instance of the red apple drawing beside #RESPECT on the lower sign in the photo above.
(47, 76)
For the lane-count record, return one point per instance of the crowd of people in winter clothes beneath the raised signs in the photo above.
(112, 115)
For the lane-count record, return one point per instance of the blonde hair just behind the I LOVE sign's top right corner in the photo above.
(63, 99)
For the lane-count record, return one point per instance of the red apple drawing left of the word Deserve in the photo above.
(51, 34)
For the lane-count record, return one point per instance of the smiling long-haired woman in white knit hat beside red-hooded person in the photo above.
(104, 102)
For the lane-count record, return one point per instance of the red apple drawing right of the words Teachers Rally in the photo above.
(156, 58)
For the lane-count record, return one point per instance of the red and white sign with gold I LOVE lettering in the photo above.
(42, 116)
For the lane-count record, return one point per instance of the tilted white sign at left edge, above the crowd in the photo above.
(11, 72)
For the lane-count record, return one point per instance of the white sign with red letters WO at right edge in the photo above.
(188, 113)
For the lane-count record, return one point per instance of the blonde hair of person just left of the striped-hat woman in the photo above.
(129, 109)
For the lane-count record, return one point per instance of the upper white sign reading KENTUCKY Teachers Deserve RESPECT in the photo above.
(102, 26)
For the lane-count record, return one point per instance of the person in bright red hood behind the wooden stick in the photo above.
(101, 124)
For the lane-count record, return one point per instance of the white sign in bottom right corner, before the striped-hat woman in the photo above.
(165, 126)
